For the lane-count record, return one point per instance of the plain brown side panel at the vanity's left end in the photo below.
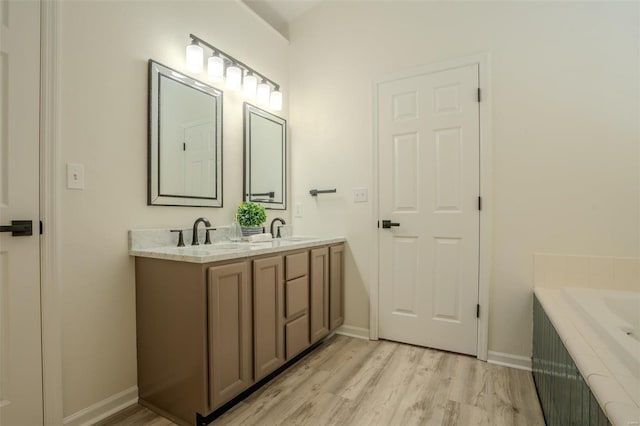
(171, 318)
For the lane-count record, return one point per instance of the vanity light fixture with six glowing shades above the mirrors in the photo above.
(237, 74)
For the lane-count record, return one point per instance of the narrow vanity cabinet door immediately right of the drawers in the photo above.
(319, 294)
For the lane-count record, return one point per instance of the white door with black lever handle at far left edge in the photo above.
(20, 336)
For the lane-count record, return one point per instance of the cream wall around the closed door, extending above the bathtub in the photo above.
(565, 130)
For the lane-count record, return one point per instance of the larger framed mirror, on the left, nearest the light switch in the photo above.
(185, 140)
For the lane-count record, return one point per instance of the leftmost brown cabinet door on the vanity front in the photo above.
(229, 332)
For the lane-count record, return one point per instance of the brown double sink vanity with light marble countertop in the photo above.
(215, 320)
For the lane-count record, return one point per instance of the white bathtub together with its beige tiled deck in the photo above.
(600, 330)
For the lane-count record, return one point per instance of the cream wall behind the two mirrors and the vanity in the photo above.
(104, 51)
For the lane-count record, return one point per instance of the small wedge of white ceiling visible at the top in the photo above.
(280, 13)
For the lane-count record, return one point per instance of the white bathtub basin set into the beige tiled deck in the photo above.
(615, 317)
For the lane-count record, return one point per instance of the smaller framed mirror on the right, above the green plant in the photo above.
(265, 165)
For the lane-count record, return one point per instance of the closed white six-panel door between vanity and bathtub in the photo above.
(428, 141)
